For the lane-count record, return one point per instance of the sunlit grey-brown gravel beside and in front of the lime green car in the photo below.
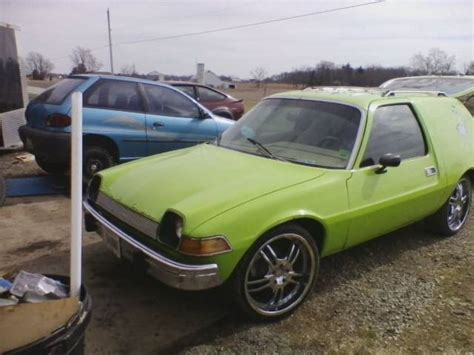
(408, 291)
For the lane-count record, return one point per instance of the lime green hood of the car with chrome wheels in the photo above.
(199, 182)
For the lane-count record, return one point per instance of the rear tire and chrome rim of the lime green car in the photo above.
(453, 215)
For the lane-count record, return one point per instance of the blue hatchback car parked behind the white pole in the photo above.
(124, 119)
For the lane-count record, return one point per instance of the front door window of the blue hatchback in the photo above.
(167, 102)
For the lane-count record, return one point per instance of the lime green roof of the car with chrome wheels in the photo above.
(360, 97)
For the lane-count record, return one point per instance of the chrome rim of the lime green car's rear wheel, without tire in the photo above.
(459, 205)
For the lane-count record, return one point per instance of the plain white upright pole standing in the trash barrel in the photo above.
(76, 195)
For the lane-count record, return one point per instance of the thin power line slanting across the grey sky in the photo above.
(281, 19)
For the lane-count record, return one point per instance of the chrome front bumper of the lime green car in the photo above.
(170, 272)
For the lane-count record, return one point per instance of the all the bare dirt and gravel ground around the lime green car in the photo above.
(409, 291)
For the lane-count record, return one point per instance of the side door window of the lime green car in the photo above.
(395, 130)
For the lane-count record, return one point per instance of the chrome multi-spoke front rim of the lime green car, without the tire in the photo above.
(280, 274)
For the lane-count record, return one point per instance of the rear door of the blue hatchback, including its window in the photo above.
(114, 109)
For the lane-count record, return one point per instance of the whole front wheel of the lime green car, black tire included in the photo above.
(279, 277)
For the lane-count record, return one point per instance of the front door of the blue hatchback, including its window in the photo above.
(173, 121)
